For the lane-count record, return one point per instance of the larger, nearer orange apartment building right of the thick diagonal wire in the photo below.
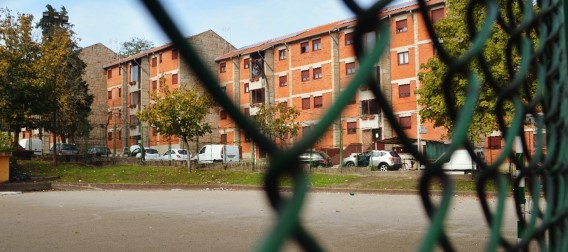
(310, 68)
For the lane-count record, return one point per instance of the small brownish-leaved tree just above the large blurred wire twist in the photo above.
(278, 121)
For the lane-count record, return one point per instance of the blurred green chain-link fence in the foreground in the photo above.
(545, 175)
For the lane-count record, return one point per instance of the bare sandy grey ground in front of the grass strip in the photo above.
(214, 220)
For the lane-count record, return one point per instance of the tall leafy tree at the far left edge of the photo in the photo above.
(22, 87)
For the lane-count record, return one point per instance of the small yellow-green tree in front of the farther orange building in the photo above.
(179, 112)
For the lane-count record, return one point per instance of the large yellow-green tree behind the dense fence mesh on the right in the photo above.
(452, 30)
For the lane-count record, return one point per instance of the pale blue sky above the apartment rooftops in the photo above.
(242, 23)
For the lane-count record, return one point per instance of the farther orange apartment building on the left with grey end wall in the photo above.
(130, 81)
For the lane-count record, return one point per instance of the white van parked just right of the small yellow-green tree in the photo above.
(221, 153)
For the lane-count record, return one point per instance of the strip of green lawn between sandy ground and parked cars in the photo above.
(138, 174)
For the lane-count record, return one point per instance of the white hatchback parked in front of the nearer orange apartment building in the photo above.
(381, 159)
